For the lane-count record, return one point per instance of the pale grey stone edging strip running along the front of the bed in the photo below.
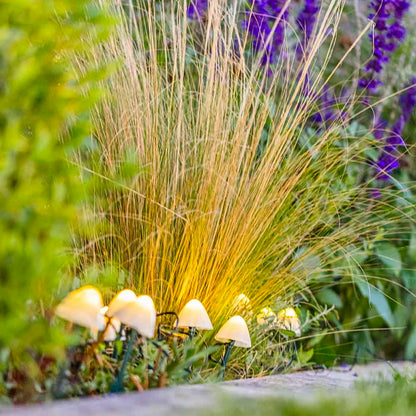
(189, 400)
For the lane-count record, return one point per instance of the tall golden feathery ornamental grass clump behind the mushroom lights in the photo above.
(207, 181)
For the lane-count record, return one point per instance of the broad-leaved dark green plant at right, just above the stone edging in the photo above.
(374, 300)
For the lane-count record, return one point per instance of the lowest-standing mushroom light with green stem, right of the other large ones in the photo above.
(233, 333)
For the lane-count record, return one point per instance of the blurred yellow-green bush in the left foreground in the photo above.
(43, 118)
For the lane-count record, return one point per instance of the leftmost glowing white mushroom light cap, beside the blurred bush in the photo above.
(82, 307)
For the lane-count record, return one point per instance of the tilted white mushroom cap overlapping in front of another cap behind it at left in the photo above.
(140, 314)
